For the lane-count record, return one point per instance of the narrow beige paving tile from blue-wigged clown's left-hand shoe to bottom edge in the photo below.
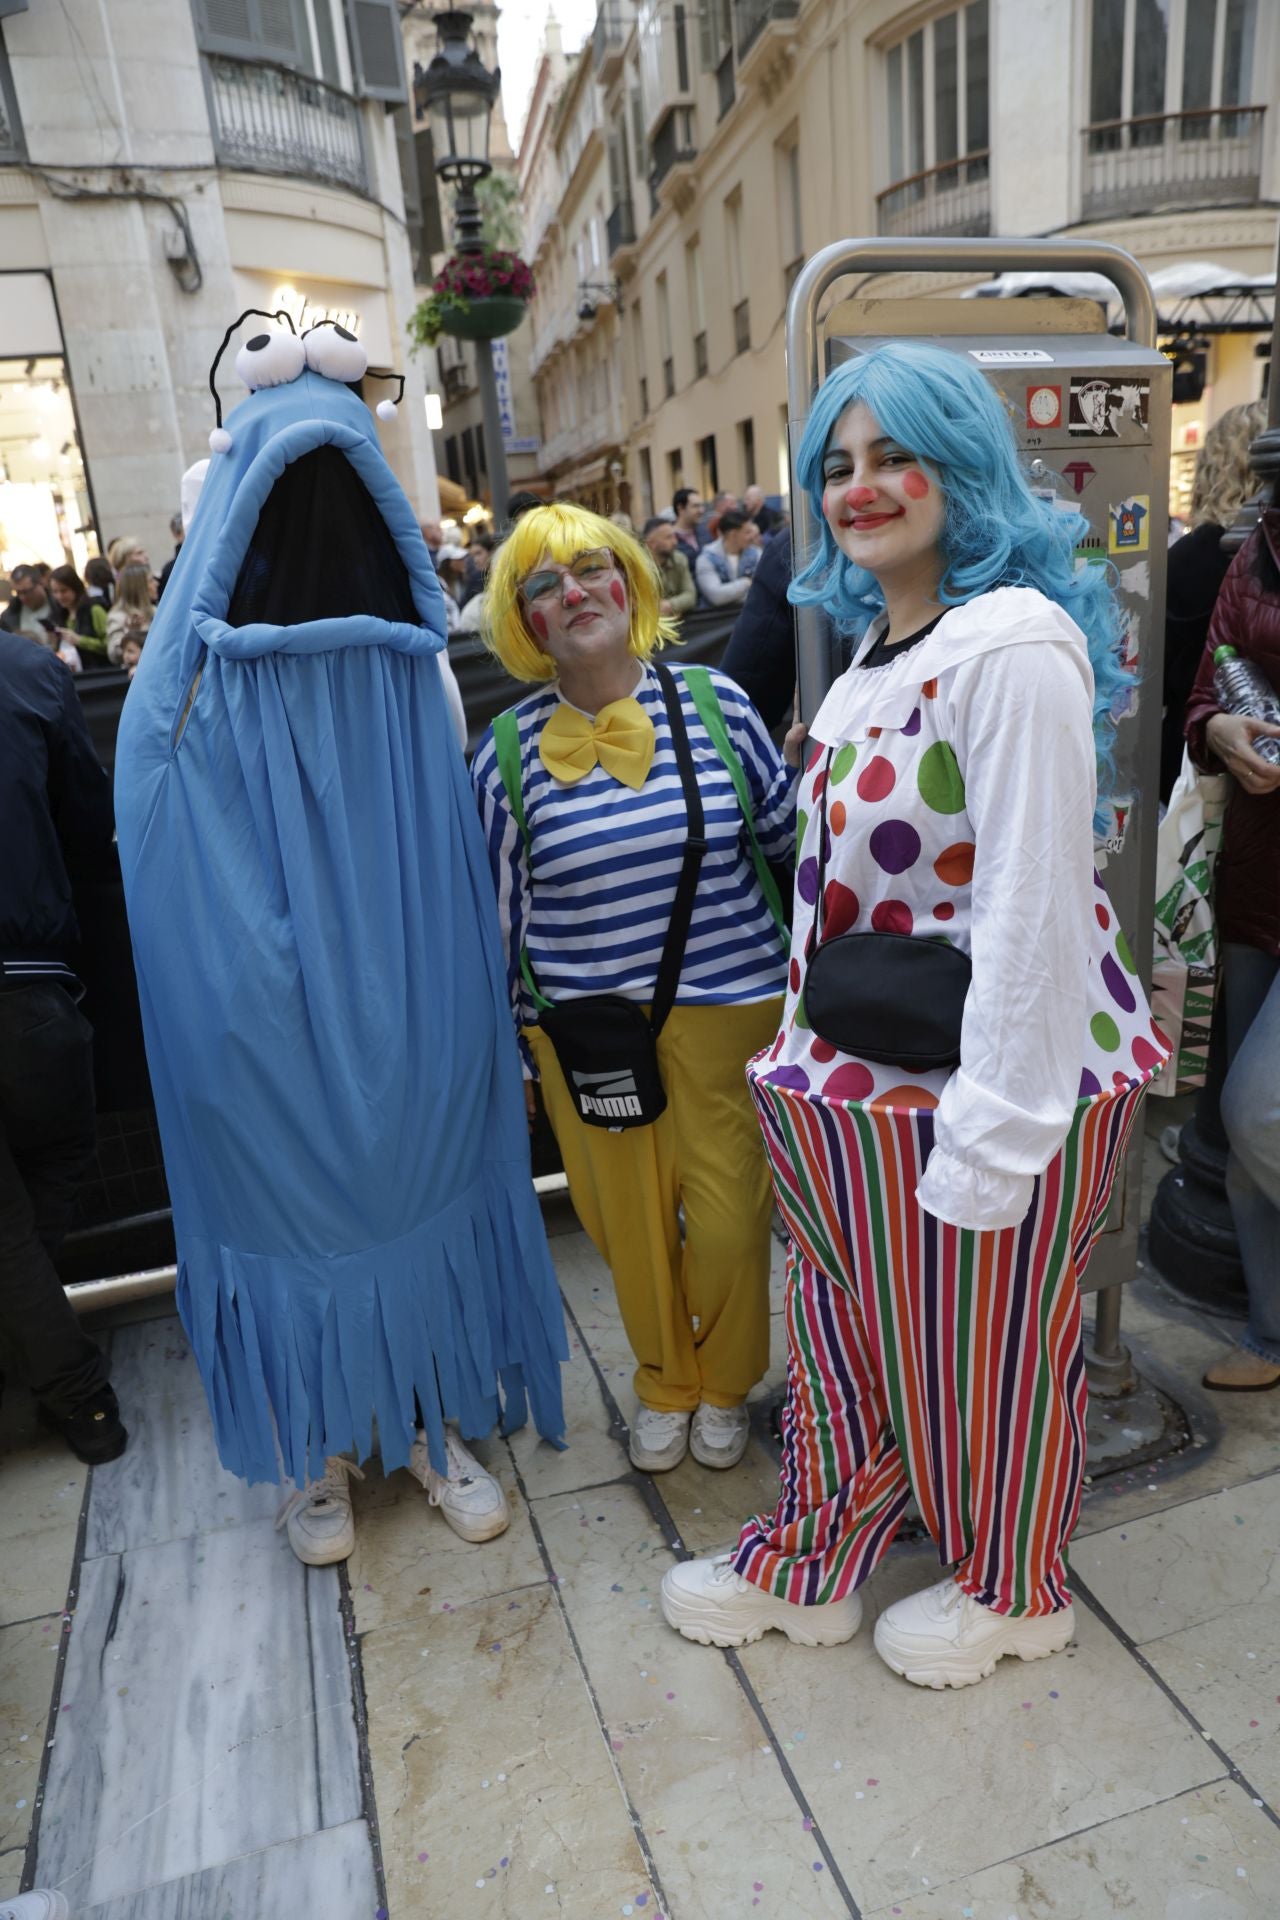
(698, 1765)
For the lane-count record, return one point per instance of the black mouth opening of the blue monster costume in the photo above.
(321, 550)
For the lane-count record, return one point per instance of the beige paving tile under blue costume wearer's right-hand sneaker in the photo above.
(408, 1560)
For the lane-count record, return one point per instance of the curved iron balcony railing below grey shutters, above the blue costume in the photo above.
(272, 120)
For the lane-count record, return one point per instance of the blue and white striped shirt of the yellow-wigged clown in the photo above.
(605, 861)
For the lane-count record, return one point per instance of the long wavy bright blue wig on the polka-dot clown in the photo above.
(995, 535)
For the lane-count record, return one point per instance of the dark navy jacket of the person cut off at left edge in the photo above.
(55, 802)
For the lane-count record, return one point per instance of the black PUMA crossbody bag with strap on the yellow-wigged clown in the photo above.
(607, 1045)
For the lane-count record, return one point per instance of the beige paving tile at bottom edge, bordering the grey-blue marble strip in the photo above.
(496, 1790)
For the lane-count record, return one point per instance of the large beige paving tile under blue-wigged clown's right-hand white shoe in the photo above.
(893, 1771)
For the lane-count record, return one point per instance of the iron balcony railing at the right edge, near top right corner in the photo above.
(1204, 158)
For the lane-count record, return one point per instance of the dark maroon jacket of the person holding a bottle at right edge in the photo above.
(1246, 894)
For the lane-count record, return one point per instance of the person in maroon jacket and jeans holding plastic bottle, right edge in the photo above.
(1233, 727)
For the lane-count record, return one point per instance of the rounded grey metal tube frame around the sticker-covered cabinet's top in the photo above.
(870, 256)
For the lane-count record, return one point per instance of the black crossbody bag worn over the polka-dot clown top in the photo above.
(886, 997)
